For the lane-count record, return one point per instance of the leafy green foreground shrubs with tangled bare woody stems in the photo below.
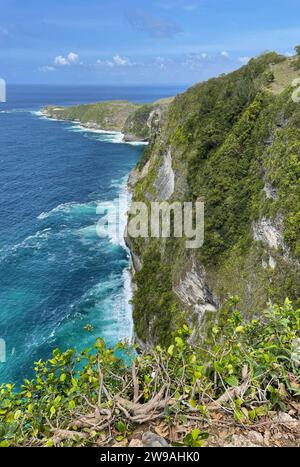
(243, 368)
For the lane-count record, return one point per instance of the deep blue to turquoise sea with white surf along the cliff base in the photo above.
(56, 274)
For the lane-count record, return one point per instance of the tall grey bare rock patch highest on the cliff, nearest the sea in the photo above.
(165, 181)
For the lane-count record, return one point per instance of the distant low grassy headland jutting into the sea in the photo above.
(133, 120)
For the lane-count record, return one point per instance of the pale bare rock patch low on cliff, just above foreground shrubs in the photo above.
(193, 290)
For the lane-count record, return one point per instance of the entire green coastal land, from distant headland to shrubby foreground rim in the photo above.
(215, 360)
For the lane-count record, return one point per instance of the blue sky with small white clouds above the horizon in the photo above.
(138, 41)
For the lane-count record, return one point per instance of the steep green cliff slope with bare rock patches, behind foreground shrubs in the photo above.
(234, 143)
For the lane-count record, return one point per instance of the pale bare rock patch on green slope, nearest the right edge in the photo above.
(269, 231)
